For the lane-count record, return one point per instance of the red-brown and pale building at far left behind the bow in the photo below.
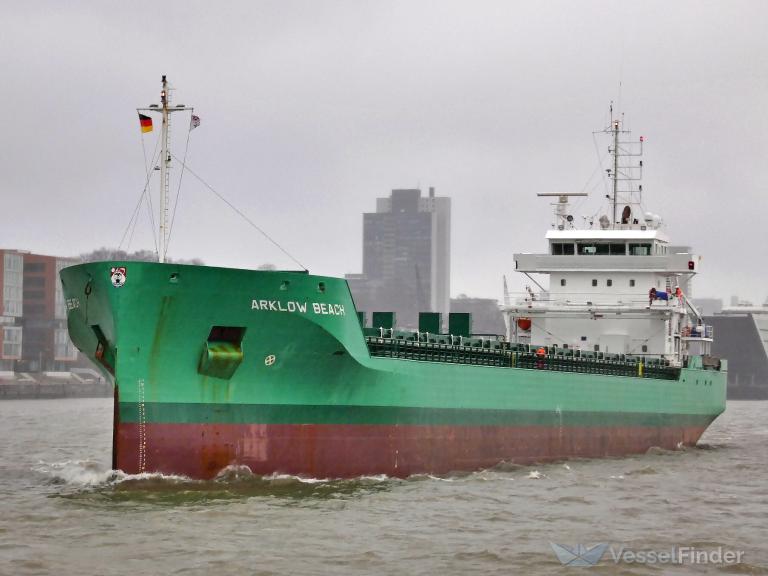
(33, 319)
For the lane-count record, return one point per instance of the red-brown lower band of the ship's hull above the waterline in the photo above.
(345, 451)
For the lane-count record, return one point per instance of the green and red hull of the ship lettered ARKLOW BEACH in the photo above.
(215, 367)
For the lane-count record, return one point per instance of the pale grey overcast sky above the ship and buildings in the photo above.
(310, 110)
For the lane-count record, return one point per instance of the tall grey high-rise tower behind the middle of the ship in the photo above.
(406, 257)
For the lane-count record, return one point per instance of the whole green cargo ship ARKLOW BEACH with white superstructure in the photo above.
(278, 371)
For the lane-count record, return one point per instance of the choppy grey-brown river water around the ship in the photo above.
(62, 511)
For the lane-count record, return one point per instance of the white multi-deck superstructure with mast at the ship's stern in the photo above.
(601, 278)
